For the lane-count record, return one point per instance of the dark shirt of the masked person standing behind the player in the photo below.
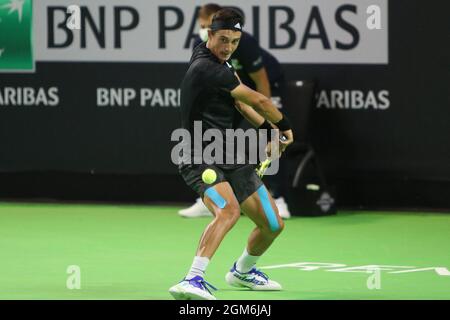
(249, 57)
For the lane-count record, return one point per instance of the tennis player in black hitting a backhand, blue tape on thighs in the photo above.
(212, 93)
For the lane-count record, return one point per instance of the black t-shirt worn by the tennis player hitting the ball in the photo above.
(205, 97)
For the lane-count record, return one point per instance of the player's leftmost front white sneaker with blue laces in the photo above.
(193, 289)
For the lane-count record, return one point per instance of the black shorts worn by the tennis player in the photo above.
(243, 180)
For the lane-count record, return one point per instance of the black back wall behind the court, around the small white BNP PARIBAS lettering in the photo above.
(396, 157)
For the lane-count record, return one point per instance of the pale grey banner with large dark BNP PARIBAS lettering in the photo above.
(307, 31)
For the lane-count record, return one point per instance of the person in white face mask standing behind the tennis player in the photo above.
(260, 71)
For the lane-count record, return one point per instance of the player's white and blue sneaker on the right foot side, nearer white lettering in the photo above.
(254, 279)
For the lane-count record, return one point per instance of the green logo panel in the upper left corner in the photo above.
(16, 36)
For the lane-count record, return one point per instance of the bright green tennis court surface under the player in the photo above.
(139, 251)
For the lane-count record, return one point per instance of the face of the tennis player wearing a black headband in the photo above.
(223, 43)
